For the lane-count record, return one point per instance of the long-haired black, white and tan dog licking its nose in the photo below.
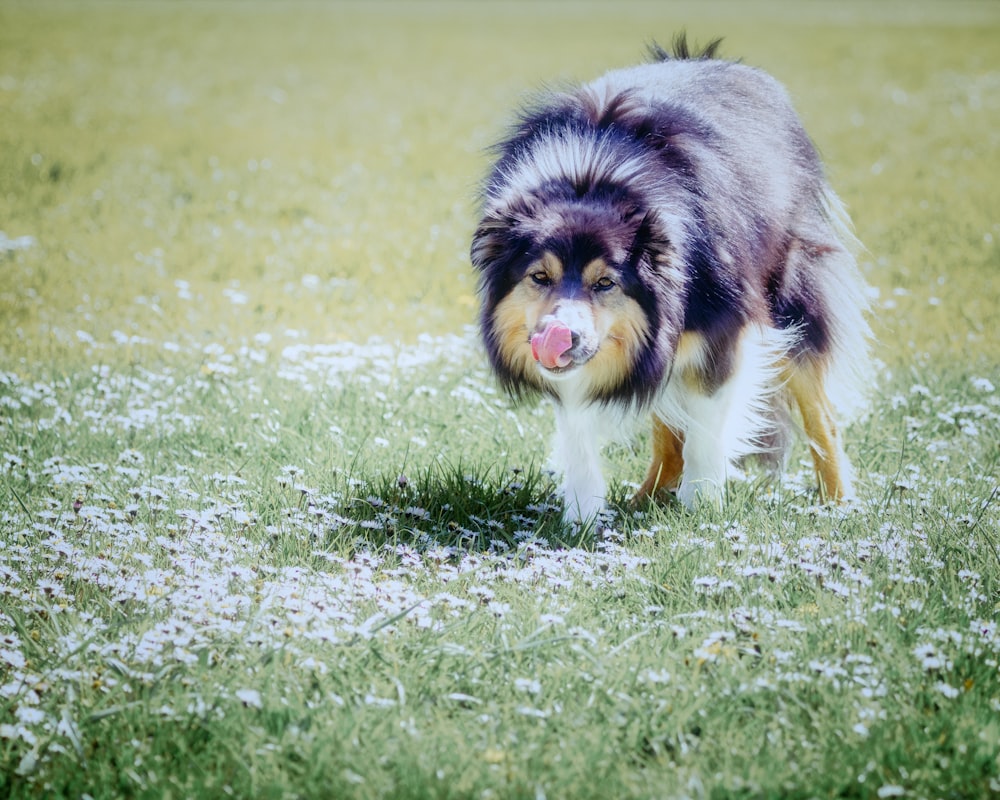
(663, 240)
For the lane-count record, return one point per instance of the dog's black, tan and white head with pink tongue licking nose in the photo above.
(572, 295)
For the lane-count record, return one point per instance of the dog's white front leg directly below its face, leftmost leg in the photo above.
(577, 456)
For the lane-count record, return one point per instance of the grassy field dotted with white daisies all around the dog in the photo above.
(269, 530)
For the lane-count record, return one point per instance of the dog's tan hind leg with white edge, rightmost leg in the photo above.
(806, 380)
